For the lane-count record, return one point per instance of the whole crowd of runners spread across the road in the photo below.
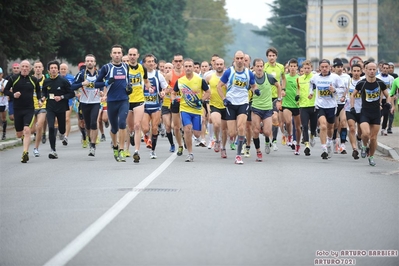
(237, 103)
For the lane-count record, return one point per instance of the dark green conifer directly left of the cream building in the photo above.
(289, 43)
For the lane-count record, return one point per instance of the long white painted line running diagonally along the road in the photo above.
(74, 247)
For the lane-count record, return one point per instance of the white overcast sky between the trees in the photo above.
(249, 11)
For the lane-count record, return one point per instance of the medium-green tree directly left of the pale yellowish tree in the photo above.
(162, 32)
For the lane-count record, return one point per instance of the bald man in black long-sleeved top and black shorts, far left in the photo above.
(21, 88)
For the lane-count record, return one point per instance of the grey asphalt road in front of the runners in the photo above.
(80, 210)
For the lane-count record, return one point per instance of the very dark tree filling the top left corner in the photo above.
(30, 28)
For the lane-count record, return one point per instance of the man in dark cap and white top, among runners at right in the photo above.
(340, 117)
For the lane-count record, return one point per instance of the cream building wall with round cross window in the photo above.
(338, 28)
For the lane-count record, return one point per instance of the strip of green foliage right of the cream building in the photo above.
(388, 34)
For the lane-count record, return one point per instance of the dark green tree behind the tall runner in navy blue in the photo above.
(97, 25)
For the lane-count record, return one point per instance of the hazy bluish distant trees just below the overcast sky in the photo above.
(243, 32)
